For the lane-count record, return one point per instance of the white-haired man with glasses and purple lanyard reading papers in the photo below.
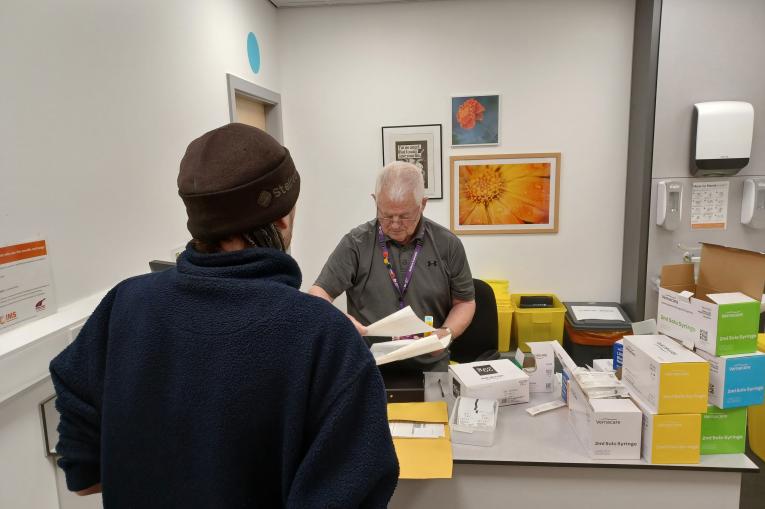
(401, 258)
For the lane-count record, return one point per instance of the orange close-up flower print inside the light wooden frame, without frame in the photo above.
(504, 194)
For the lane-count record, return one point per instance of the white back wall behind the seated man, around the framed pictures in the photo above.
(563, 69)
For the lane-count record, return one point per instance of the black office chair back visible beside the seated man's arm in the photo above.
(479, 341)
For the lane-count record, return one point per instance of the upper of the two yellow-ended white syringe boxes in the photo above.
(669, 378)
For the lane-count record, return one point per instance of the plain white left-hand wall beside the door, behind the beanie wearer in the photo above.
(99, 100)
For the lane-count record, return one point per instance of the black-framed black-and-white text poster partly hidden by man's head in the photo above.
(421, 146)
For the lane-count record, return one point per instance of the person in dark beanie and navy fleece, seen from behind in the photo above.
(218, 383)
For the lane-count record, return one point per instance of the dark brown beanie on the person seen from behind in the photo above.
(234, 179)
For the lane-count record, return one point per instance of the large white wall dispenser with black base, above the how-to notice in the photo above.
(721, 140)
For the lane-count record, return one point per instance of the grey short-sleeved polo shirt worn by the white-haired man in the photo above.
(356, 267)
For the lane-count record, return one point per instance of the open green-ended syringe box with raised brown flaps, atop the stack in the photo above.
(719, 313)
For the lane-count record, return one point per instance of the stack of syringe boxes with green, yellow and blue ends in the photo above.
(695, 403)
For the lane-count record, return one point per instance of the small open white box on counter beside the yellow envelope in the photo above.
(474, 421)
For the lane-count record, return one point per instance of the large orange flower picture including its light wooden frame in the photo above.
(505, 193)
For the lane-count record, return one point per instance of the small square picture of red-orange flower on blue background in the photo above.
(475, 120)
